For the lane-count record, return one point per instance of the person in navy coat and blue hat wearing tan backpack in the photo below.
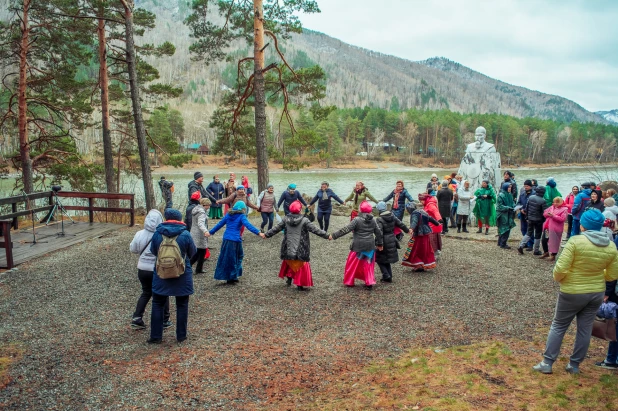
(173, 276)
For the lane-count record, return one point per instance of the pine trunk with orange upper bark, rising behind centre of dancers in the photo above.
(259, 94)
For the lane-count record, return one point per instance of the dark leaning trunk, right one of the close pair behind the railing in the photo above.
(140, 132)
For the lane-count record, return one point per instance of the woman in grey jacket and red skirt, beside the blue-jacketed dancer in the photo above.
(295, 247)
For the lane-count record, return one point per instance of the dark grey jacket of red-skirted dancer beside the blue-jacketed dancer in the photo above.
(295, 244)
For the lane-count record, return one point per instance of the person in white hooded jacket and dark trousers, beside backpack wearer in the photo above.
(145, 269)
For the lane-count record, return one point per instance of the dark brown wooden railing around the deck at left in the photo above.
(11, 220)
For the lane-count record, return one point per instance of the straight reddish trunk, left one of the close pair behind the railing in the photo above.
(108, 155)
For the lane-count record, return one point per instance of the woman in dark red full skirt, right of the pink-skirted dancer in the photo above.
(419, 254)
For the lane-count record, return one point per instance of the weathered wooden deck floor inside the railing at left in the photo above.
(48, 239)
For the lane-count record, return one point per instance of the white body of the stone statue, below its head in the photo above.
(476, 167)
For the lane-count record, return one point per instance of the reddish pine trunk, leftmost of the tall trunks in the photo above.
(22, 120)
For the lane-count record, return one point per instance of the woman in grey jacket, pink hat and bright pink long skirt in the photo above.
(366, 237)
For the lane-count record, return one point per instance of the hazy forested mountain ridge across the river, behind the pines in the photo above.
(357, 77)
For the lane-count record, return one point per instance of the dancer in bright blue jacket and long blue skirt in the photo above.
(229, 265)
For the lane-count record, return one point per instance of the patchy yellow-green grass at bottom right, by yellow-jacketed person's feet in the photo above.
(485, 376)
